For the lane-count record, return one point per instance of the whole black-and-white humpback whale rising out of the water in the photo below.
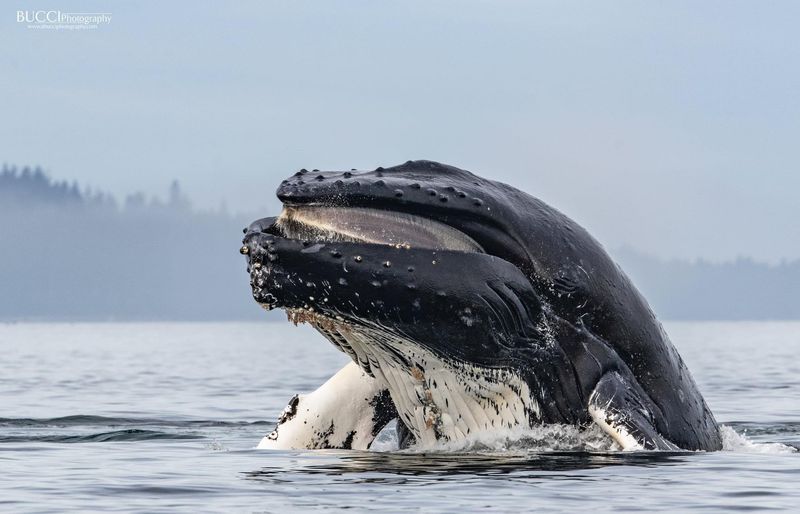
(466, 306)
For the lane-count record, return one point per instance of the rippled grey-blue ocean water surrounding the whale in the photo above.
(159, 417)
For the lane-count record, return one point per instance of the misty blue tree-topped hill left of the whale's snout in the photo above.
(68, 253)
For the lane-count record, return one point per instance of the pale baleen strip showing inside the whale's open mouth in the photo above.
(371, 226)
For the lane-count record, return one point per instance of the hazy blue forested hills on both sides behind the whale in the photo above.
(72, 254)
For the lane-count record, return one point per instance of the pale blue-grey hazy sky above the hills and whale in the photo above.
(672, 127)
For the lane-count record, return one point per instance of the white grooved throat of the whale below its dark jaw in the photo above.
(437, 398)
